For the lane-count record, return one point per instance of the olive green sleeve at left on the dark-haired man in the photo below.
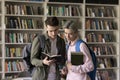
(35, 53)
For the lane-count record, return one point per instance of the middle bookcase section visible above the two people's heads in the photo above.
(66, 11)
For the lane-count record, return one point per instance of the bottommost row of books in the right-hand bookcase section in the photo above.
(105, 75)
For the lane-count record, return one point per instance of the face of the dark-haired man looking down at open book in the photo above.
(52, 31)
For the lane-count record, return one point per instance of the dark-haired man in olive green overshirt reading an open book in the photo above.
(54, 45)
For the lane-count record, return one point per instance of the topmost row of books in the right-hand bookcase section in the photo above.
(100, 11)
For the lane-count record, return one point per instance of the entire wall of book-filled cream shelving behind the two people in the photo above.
(98, 24)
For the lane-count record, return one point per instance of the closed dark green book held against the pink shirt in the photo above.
(77, 58)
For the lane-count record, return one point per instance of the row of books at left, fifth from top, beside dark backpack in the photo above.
(14, 66)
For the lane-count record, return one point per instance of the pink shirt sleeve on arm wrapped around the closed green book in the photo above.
(88, 63)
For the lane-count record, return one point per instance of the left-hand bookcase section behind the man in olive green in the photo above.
(23, 20)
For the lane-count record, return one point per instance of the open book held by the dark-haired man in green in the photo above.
(50, 57)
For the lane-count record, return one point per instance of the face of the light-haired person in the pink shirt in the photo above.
(69, 34)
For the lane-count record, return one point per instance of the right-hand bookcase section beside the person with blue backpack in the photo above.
(101, 33)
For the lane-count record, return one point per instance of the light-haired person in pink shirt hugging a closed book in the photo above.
(78, 72)
